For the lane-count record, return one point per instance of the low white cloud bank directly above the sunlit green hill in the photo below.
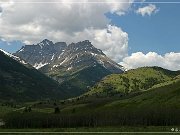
(169, 61)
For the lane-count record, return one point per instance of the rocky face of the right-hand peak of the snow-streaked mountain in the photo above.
(80, 55)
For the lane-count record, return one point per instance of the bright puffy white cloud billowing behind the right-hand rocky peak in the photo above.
(112, 40)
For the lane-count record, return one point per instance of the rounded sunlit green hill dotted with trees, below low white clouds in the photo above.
(132, 81)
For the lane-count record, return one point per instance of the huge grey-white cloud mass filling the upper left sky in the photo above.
(67, 20)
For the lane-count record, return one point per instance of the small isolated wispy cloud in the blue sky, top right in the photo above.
(147, 10)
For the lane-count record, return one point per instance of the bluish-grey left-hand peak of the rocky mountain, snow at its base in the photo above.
(41, 54)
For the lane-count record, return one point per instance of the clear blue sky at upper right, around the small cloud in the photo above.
(159, 32)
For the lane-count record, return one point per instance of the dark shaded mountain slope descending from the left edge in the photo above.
(24, 83)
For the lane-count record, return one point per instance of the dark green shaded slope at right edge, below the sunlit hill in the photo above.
(167, 93)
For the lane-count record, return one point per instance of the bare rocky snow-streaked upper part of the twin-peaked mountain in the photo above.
(59, 56)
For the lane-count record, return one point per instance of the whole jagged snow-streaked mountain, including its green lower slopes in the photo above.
(77, 66)
